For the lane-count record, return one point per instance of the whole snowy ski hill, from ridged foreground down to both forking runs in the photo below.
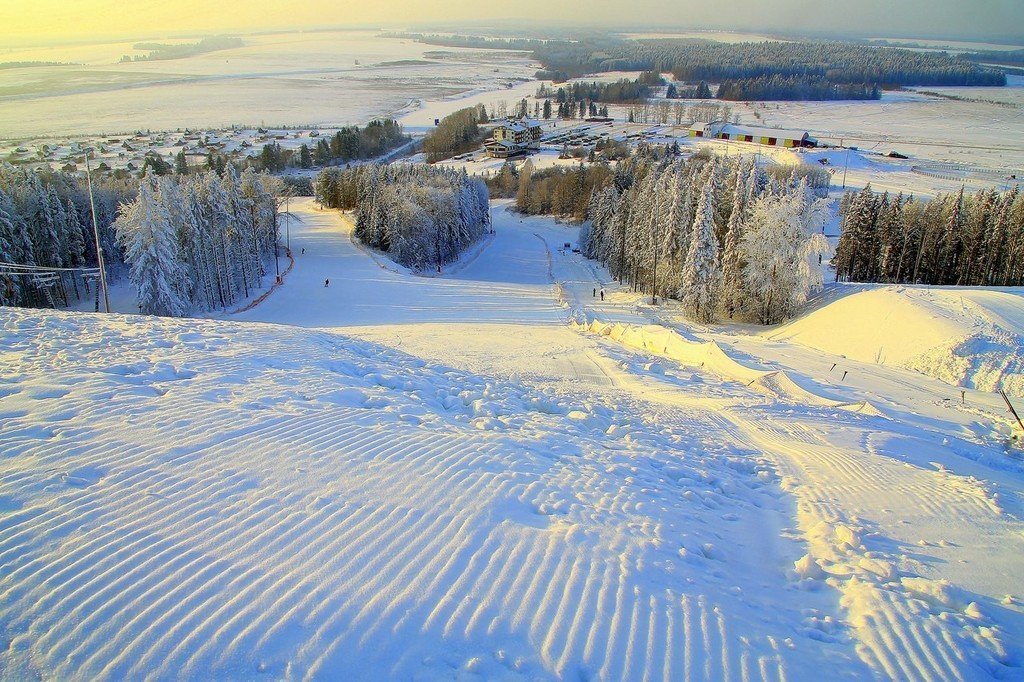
(456, 479)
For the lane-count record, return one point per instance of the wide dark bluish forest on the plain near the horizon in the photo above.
(752, 71)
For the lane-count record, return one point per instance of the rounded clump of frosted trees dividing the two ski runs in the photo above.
(421, 217)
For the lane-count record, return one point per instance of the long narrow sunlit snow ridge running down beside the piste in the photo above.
(711, 357)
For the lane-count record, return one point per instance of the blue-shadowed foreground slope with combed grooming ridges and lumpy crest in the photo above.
(191, 500)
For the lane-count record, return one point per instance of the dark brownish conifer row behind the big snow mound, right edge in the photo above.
(954, 239)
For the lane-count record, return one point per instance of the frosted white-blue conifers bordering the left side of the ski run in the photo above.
(200, 242)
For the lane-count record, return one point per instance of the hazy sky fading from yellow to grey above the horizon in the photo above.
(35, 21)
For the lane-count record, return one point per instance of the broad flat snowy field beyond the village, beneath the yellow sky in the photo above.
(301, 79)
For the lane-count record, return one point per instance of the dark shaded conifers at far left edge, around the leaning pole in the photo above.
(46, 222)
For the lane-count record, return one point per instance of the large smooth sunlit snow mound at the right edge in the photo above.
(972, 338)
